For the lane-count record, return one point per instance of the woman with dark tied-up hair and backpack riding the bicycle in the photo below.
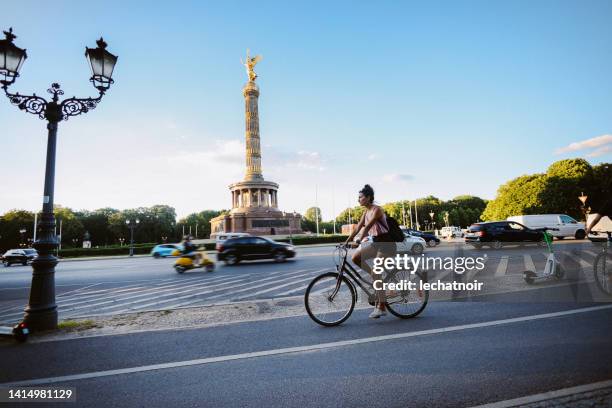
(375, 230)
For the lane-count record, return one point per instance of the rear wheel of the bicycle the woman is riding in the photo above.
(406, 303)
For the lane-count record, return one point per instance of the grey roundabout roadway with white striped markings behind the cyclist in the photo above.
(113, 286)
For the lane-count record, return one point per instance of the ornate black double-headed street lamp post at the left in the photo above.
(41, 312)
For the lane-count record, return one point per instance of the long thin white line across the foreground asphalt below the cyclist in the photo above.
(299, 349)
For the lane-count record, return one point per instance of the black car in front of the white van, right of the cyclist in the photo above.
(497, 233)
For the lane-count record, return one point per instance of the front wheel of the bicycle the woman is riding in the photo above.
(330, 299)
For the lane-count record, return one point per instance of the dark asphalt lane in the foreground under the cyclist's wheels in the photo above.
(456, 354)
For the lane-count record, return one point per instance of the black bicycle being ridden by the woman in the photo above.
(330, 298)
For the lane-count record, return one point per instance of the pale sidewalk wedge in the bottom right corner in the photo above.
(593, 395)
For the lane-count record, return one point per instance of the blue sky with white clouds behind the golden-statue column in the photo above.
(413, 97)
